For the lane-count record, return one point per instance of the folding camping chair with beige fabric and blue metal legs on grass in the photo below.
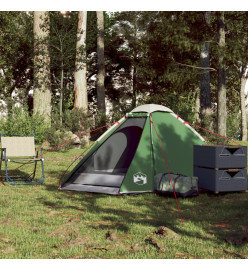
(20, 149)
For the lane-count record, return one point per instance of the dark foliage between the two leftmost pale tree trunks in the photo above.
(63, 55)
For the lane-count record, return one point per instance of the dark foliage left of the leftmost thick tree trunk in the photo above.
(16, 43)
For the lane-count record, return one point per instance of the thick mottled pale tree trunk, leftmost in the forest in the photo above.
(42, 80)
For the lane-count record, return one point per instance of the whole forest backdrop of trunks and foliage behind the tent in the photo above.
(64, 73)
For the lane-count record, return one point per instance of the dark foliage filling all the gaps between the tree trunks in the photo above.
(150, 57)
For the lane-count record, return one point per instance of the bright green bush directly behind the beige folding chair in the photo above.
(20, 122)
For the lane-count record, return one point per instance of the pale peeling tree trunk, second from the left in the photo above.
(80, 82)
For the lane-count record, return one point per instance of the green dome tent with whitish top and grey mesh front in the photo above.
(128, 155)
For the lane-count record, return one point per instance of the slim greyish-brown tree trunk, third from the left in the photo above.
(100, 63)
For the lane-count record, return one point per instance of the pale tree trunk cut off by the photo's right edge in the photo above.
(242, 107)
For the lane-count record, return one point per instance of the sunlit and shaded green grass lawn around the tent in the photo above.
(43, 222)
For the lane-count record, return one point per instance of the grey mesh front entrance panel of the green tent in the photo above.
(113, 157)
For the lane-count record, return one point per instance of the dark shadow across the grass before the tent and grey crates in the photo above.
(222, 217)
